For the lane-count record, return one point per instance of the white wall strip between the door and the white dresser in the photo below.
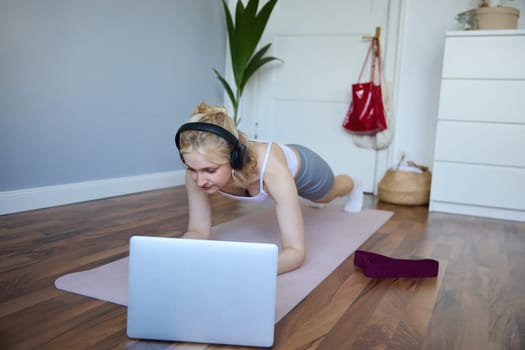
(424, 25)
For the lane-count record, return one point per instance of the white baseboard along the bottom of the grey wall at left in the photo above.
(50, 196)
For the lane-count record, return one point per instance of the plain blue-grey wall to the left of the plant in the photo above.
(96, 89)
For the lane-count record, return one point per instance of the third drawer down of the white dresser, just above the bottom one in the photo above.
(484, 143)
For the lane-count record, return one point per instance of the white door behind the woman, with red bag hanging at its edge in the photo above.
(305, 98)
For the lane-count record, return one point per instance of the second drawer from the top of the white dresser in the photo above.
(483, 100)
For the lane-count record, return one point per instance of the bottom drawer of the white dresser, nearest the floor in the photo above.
(481, 185)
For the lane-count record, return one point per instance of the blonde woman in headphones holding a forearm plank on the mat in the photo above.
(219, 158)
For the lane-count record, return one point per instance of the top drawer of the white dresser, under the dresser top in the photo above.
(494, 57)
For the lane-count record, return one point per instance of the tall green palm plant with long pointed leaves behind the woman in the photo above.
(244, 36)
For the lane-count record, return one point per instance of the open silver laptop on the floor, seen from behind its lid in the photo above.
(202, 291)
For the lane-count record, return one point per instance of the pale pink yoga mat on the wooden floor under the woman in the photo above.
(331, 236)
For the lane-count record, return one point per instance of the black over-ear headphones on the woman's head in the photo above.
(239, 152)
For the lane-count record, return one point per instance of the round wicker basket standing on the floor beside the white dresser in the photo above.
(405, 187)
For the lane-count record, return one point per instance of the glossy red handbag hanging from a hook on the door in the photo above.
(366, 113)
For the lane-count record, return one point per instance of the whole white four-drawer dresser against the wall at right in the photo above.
(479, 155)
